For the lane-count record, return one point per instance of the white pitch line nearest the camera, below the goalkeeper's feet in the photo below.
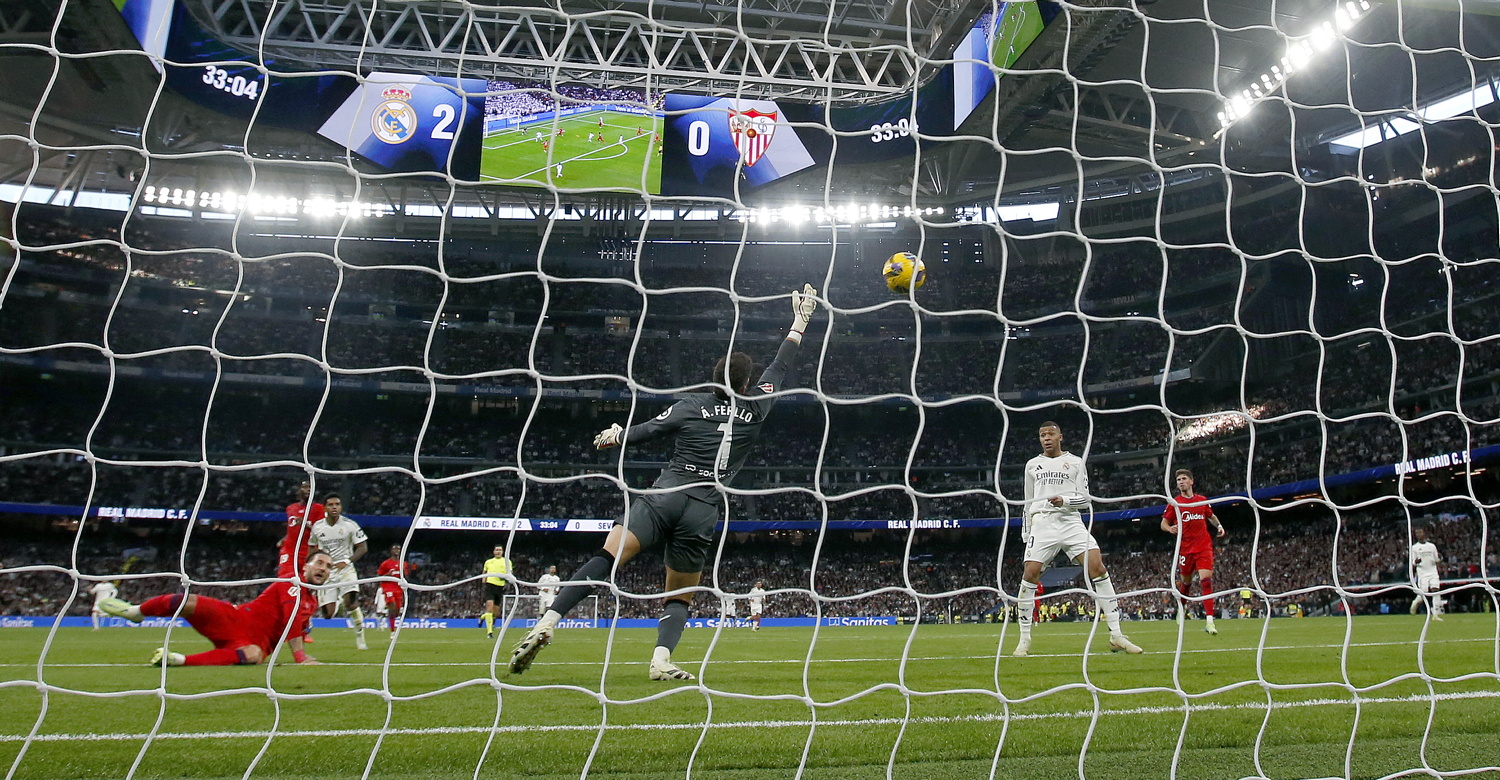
(748, 724)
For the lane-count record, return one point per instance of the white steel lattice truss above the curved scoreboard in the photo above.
(764, 49)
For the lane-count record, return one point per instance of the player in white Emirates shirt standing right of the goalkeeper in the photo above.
(1057, 496)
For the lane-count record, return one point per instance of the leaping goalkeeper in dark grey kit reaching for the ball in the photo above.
(713, 437)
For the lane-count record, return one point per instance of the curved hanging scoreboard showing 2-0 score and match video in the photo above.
(577, 136)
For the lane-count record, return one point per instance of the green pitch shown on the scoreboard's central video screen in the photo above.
(619, 163)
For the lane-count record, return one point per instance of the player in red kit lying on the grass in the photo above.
(241, 635)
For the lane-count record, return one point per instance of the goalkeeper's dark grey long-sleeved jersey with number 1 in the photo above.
(715, 436)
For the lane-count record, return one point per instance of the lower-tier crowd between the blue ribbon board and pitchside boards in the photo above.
(1321, 560)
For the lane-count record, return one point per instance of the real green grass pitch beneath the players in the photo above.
(445, 697)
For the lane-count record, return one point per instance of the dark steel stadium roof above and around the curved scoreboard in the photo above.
(1081, 115)
